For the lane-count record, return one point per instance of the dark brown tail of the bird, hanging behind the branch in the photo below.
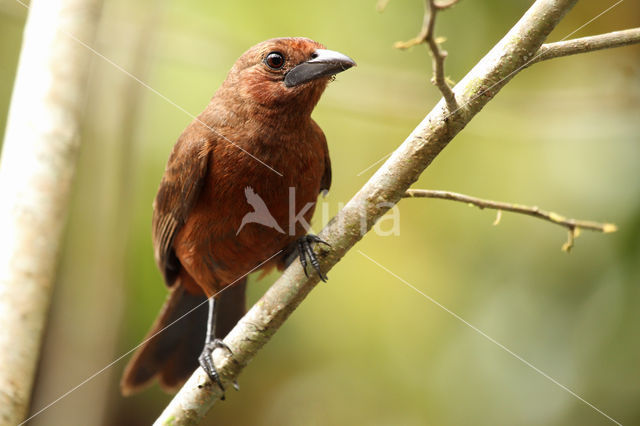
(172, 354)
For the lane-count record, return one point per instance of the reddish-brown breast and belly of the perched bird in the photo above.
(251, 206)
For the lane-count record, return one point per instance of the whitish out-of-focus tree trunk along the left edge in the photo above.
(36, 172)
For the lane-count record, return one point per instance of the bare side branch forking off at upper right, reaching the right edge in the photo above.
(587, 44)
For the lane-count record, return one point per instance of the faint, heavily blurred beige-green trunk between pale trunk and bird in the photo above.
(106, 183)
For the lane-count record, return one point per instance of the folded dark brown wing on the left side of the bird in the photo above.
(179, 189)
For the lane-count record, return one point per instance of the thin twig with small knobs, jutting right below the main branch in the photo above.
(573, 225)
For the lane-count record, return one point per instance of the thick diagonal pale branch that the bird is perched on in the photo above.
(384, 189)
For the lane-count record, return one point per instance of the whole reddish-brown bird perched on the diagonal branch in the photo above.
(254, 141)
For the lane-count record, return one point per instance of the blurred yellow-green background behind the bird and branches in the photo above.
(365, 348)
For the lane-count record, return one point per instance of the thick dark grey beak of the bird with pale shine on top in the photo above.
(323, 63)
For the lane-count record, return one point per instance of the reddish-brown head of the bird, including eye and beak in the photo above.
(286, 73)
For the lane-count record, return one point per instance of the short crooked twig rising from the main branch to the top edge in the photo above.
(426, 35)
